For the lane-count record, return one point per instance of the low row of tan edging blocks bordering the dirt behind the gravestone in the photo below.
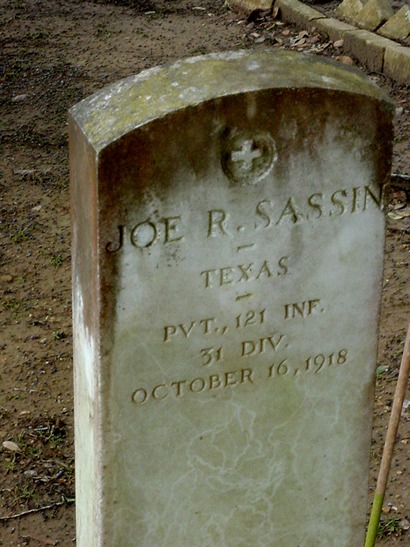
(377, 53)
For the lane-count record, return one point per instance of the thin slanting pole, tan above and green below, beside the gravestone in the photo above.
(389, 444)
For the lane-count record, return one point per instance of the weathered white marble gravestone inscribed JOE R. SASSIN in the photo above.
(228, 234)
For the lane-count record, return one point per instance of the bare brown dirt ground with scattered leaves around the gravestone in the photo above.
(53, 54)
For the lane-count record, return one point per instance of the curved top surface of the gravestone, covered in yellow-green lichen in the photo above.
(134, 101)
